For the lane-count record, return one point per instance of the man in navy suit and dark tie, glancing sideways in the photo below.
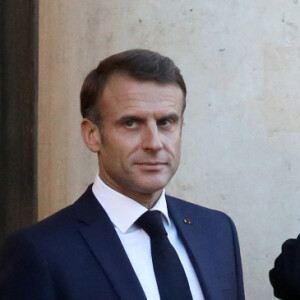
(124, 238)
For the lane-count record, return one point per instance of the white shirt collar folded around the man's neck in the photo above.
(122, 210)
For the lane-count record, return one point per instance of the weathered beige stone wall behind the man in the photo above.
(241, 151)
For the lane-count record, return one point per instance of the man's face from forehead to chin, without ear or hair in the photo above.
(140, 136)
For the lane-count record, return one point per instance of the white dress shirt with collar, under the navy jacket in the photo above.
(123, 212)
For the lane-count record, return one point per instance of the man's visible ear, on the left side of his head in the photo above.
(91, 135)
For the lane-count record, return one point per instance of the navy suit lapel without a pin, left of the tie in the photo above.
(105, 244)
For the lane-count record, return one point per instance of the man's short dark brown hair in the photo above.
(140, 64)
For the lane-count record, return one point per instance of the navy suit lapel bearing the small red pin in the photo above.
(199, 245)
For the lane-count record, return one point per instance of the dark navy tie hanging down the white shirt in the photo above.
(170, 276)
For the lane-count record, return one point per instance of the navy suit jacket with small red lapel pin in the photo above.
(76, 254)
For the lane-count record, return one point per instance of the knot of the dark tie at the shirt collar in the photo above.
(152, 223)
